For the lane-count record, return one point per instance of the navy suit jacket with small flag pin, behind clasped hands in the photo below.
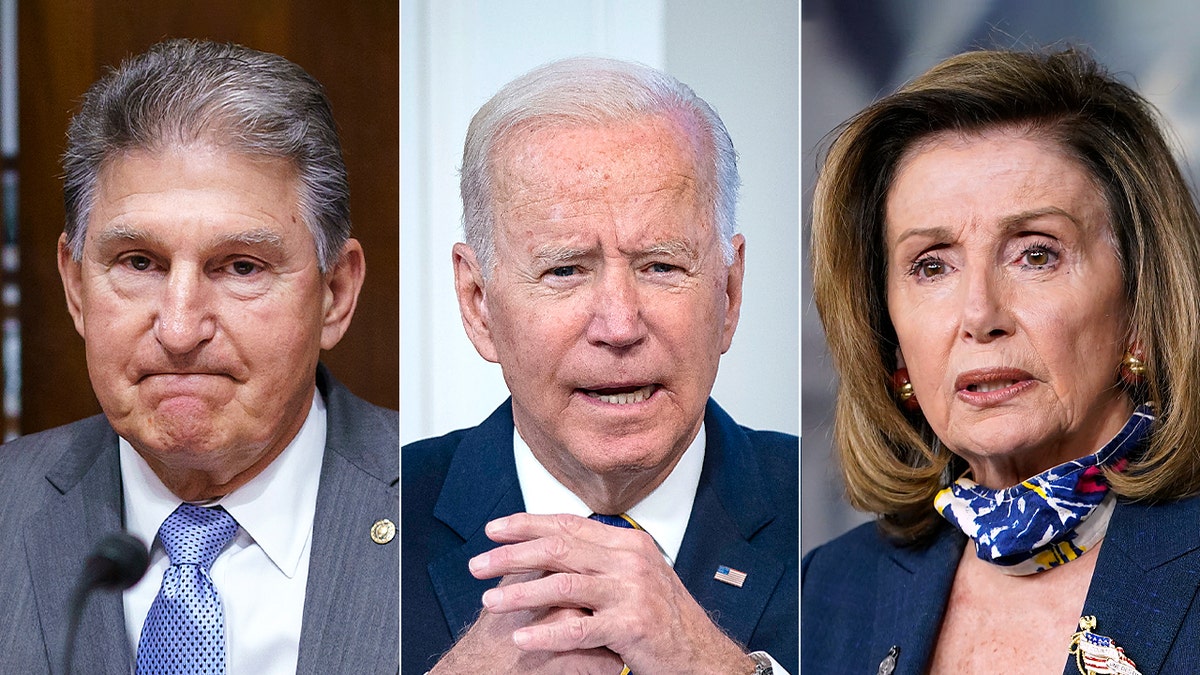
(745, 517)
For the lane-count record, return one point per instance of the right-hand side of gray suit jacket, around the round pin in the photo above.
(351, 612)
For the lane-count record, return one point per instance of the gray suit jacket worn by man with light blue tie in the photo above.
(61, 493)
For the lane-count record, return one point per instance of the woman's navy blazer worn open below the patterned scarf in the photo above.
(862, 595)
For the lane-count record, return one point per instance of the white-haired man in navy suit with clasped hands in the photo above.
(633, 524)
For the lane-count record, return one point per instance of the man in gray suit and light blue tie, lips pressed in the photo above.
(207, 262)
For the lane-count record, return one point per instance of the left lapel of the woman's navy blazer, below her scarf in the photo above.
(910, 616)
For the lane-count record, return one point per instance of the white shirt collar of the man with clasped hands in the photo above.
(664, 513)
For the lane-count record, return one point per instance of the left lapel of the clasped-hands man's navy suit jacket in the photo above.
(481, 486)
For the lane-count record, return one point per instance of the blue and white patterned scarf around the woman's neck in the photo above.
(1047, 521)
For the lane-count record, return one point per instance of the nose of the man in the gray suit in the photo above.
(185, 319)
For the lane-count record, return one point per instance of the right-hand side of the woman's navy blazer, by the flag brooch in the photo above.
(1147, 581)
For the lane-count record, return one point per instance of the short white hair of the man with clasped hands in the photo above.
(583, 92)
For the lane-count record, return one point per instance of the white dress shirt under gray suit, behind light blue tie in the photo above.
(262, 575)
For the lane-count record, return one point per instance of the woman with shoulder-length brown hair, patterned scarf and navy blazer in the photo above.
(1007, 264)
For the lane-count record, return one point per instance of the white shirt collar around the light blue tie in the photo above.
(275, 509)
